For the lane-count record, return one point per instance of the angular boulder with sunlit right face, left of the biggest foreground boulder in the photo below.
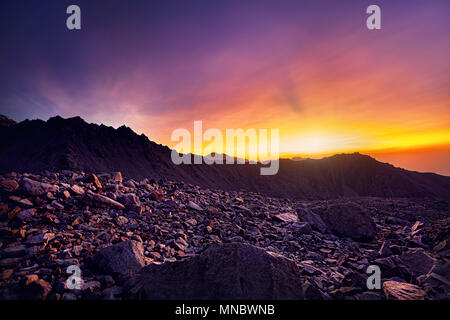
(123, 258)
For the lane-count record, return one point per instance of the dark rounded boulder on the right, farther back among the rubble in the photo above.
(350, 220)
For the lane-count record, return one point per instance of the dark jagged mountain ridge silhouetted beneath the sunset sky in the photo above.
(34, 146)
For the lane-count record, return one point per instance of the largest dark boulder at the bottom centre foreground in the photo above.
(223, 271)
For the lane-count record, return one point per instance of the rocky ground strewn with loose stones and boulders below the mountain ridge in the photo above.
(159, 239)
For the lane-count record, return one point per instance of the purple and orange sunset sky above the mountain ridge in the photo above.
(311, 69)
